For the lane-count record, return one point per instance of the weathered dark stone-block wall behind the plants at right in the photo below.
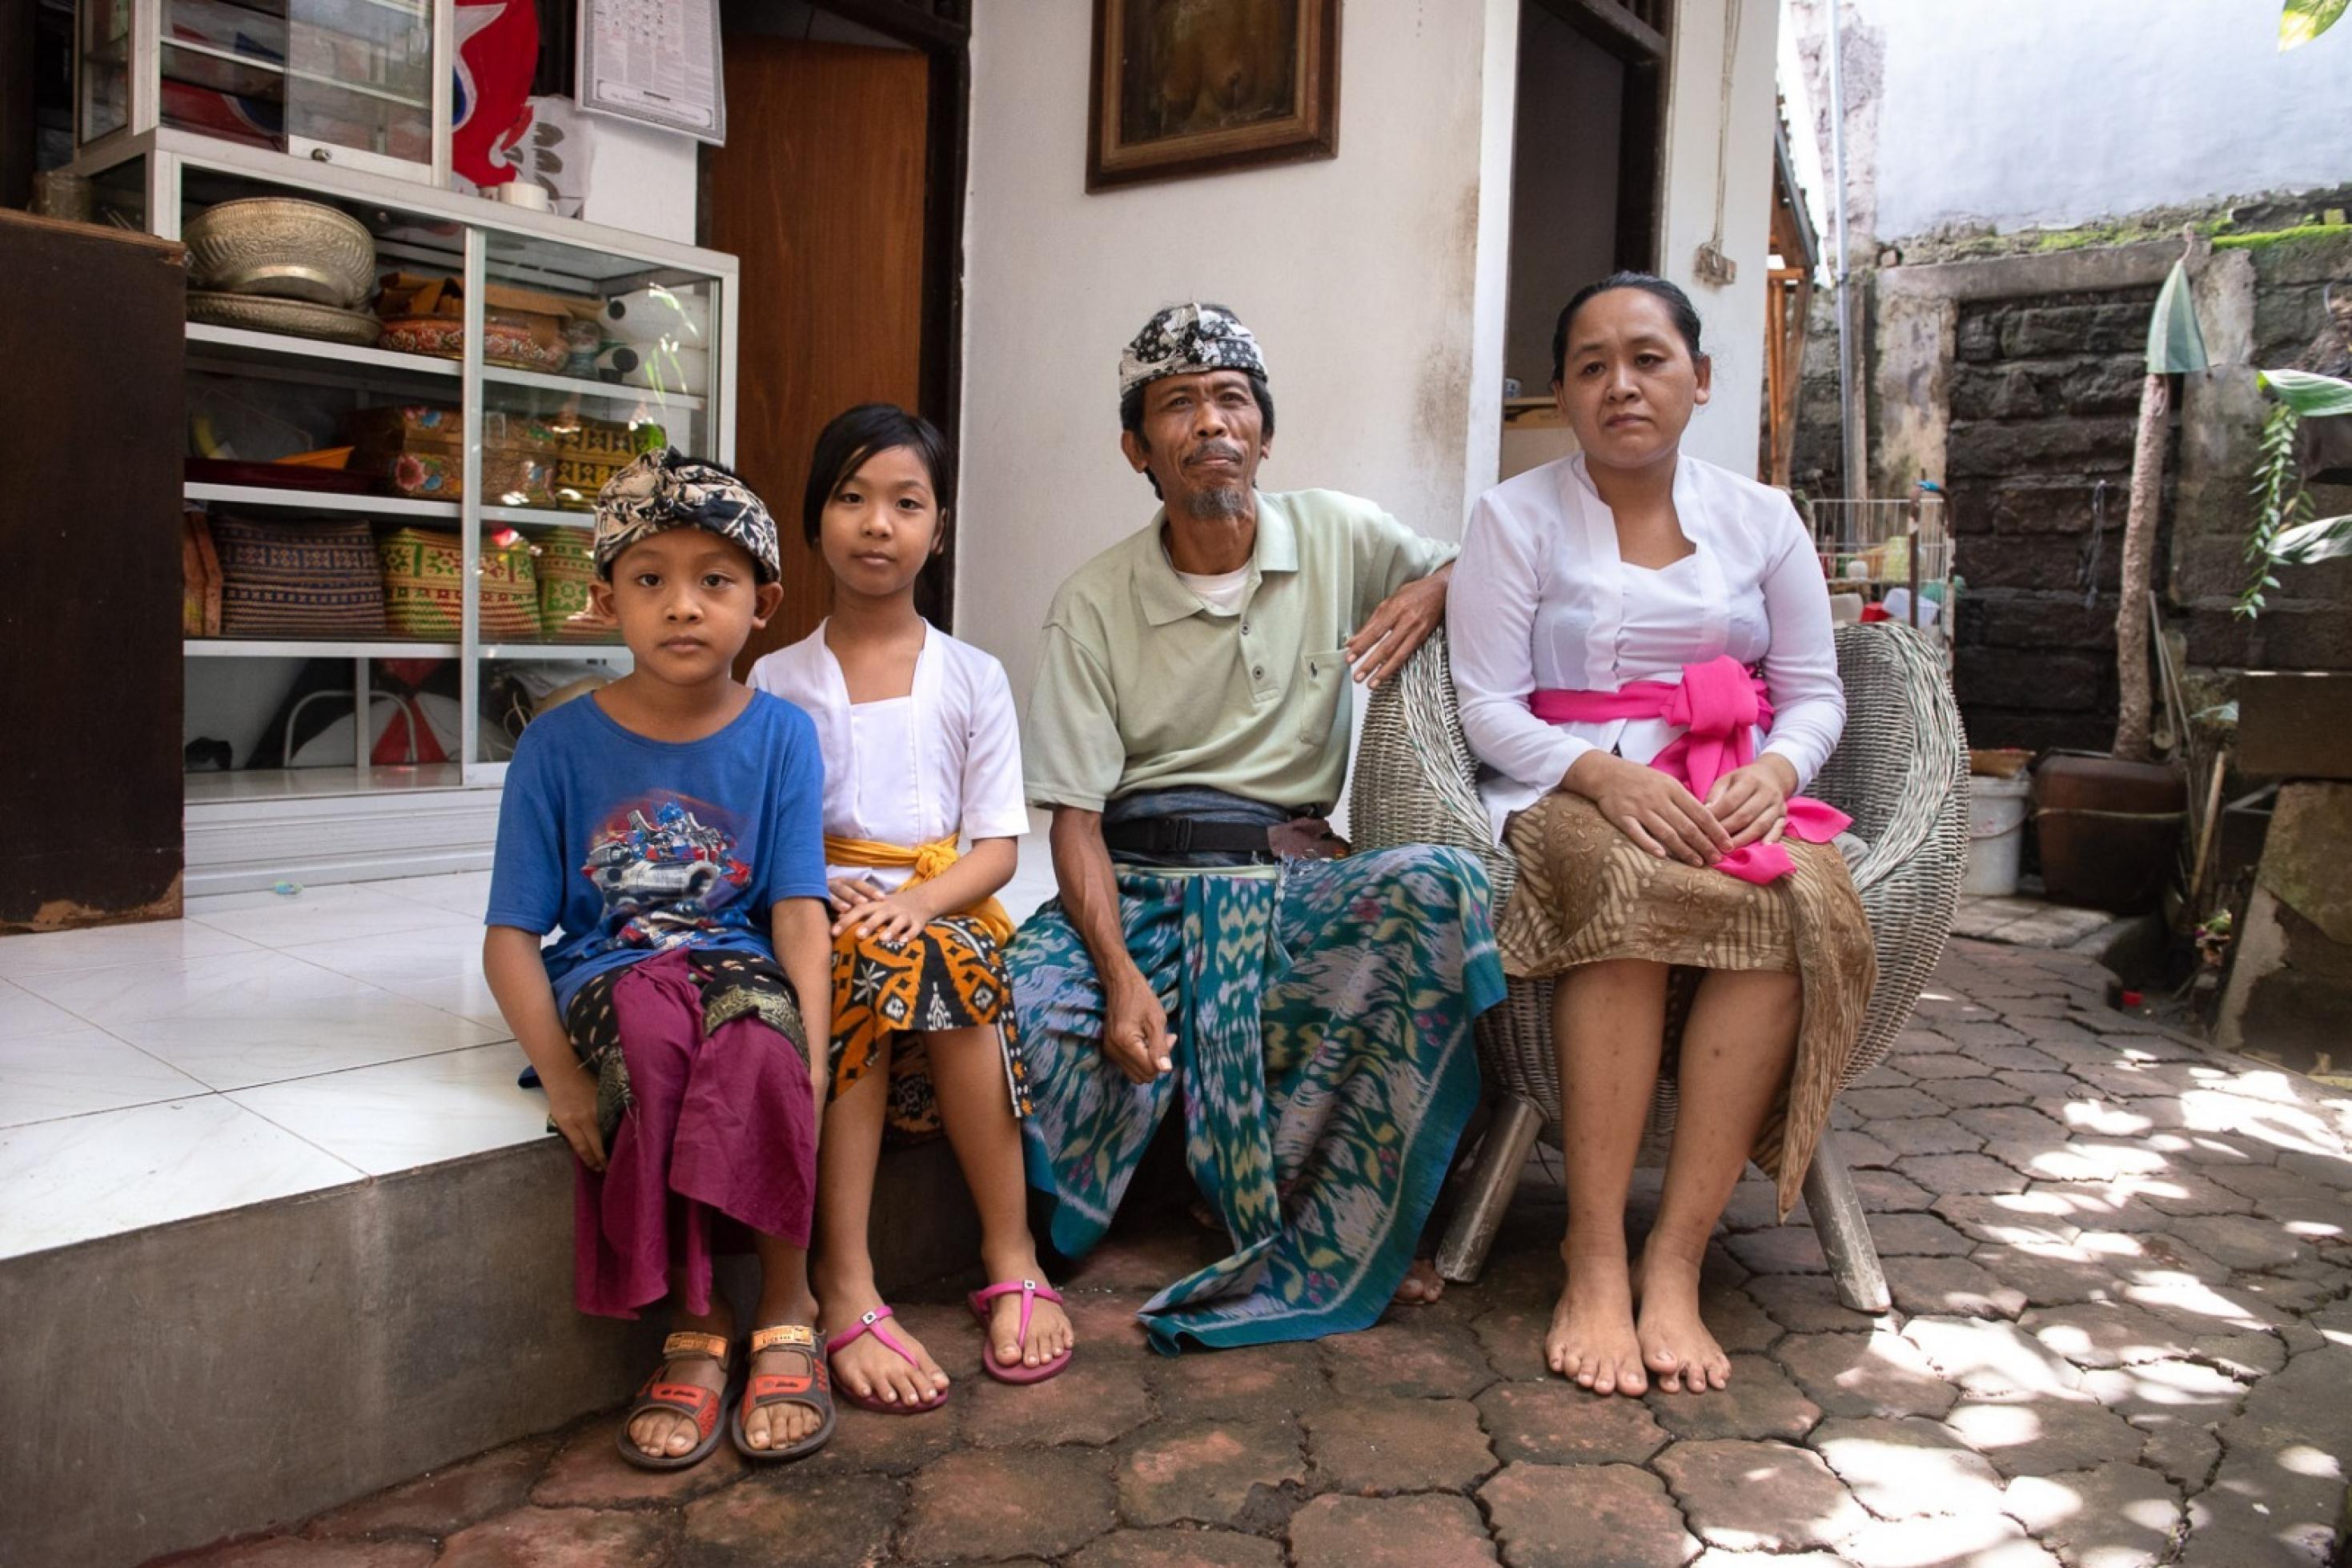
(2014, 382)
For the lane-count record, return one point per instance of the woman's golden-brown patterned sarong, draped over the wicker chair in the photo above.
(1589, 894)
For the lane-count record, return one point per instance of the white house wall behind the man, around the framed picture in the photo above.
(1375, 281)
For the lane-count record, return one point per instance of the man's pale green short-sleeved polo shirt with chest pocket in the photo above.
(1142, 685)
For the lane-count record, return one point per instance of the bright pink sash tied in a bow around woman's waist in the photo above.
(1720, 706)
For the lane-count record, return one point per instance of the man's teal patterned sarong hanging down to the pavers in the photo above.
(1325, 1064)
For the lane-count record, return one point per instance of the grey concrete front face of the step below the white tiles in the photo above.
(222, 1374)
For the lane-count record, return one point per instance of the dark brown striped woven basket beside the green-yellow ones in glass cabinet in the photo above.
(298, 579)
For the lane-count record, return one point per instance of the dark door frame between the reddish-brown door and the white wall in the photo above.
(940, 29)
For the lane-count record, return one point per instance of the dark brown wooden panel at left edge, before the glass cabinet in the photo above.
(93, 429)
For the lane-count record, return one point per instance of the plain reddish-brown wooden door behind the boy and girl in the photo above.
(820, 192)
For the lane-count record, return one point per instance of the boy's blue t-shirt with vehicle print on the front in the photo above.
(634, 847)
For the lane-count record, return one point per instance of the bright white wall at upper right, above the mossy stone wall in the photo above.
(2029, 114)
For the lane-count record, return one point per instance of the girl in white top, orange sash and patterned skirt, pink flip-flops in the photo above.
(921, 751)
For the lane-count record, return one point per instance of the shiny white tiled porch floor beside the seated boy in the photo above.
(258, 1050)
